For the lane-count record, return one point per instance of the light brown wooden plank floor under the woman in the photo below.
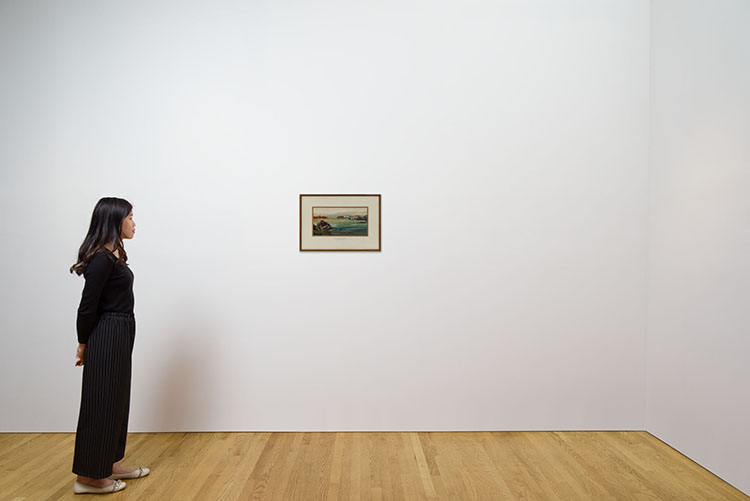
(432, 465)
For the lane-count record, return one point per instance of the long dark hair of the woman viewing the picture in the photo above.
(105, 228)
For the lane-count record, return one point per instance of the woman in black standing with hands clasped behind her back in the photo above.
(106, 332)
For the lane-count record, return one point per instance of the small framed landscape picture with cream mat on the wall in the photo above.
(339, 222)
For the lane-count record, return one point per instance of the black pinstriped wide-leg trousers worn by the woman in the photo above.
(105, 396)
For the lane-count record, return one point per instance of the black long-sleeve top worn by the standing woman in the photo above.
(109, 287)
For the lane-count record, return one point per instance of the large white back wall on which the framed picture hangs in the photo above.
(509, 141)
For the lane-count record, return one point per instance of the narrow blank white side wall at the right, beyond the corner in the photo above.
(699, 252)
